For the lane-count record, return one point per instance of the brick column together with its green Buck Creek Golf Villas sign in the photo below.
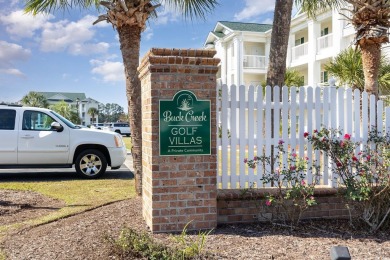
(179, 161)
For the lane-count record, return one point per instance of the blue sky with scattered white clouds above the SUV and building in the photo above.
(64, 52)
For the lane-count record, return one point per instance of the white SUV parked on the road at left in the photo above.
(40, 138)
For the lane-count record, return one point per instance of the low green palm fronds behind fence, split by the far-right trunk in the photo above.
(347, 67)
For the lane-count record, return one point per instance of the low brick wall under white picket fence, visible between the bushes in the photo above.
(239, 206)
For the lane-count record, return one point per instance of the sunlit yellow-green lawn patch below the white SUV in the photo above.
(78, 195)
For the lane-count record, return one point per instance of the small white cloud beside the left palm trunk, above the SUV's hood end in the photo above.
(110, 71)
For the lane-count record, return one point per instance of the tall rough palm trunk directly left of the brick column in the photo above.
(129, 39)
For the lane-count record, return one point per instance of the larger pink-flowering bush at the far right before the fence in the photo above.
(362, 169)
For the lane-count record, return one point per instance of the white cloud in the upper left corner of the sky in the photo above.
(21, 25)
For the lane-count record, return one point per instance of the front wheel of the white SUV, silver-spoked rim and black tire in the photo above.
(91, 164)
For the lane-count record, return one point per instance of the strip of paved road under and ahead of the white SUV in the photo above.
(125, 172)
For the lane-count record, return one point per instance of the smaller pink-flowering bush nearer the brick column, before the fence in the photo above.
(293, 194)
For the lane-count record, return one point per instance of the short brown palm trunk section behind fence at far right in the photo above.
(371, 55)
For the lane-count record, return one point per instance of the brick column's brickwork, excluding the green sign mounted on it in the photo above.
(177, 189)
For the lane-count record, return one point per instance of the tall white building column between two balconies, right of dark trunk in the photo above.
(314, 67)
